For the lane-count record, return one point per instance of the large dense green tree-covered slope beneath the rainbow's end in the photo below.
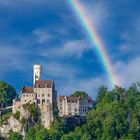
(116, 116)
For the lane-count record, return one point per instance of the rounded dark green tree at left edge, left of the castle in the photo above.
(7, 94)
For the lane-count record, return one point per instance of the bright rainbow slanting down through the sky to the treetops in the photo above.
(95, 39)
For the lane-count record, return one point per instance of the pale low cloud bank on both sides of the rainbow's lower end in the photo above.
(127, 72)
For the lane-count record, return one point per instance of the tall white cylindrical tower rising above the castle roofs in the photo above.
(37, 72)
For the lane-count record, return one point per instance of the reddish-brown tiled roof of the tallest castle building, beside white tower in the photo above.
(43, 84)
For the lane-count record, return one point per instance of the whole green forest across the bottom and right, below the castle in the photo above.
(116, 116)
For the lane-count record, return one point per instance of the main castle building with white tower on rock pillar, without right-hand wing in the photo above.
(42, 93)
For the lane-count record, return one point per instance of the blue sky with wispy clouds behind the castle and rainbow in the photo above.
(47, 32)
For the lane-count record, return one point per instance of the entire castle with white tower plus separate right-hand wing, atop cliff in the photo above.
(43, 94)
